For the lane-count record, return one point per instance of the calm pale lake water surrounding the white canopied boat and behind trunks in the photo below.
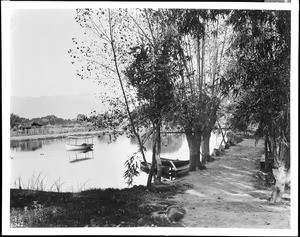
(46, 163)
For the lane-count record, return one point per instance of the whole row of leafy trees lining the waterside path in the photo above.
(178, 67)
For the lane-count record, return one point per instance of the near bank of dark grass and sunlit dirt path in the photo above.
(227, 193)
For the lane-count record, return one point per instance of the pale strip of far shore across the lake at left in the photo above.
(56, 135)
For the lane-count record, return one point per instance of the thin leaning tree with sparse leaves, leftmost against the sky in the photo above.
(103, 55)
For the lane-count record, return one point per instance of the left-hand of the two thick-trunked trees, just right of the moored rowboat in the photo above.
(189, 30)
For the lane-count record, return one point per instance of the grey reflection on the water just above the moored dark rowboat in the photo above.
(170, 142)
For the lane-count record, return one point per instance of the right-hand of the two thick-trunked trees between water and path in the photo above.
(218, 36)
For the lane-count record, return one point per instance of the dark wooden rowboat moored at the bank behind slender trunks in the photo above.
(170, 167)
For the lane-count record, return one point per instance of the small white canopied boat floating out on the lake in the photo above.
(74, 143)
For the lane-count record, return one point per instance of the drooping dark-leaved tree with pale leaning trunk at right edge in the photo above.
(259, 77)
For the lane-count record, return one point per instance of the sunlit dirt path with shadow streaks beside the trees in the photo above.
(226, 194)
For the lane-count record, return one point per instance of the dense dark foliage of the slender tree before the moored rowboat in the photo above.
(153, 77)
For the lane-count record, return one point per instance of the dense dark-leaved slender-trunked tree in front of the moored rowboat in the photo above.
(152, 74)
